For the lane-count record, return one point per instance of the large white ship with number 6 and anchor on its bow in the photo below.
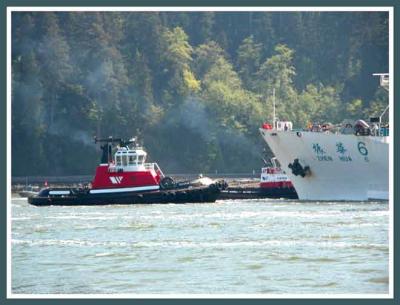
(326, 165)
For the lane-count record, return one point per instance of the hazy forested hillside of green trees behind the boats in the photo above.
(193, 87)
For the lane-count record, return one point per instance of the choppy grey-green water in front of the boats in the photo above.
(228, 247)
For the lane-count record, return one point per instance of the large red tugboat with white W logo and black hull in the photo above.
(125, 178)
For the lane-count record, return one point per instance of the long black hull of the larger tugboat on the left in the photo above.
(84, 197)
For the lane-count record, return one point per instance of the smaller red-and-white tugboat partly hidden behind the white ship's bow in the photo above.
(274, 183)
